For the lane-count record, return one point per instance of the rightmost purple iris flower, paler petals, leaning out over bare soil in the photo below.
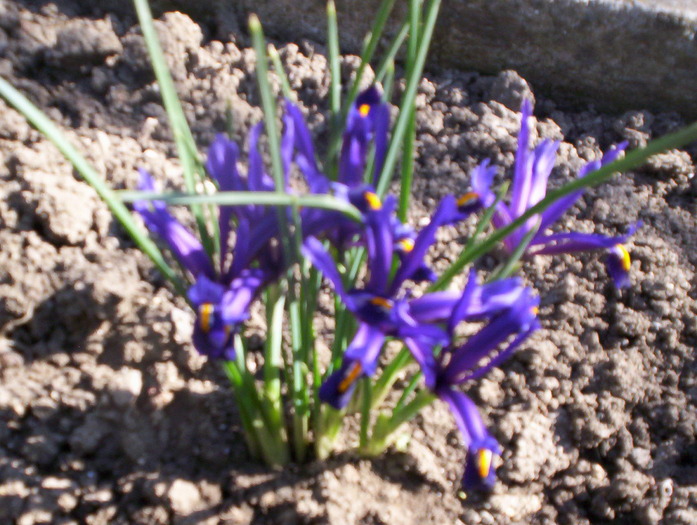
(531, 173)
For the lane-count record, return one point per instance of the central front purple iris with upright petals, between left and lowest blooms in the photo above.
(381, 307)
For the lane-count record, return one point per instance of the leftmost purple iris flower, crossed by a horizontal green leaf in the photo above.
(222, 292)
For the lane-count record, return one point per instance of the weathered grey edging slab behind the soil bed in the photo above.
(616, 54)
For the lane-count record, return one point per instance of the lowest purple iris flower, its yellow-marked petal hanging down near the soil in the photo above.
(511, 313)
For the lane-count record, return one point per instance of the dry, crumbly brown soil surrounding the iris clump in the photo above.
(108, 415)
